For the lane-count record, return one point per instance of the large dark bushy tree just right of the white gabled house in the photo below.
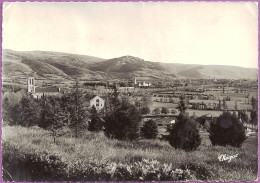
(123, 123)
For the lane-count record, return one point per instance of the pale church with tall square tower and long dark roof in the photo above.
(38, 92)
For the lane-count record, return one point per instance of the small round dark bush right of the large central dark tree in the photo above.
(149, 130)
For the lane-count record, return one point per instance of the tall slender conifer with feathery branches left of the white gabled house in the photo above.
(77, 111)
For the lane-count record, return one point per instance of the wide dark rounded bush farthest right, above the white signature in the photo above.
(227, 130)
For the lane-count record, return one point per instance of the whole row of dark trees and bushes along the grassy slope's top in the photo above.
(122, 119)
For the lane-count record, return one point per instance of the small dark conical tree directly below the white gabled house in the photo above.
(96, 123)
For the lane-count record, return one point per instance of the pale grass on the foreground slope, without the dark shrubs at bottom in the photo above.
(95, 148)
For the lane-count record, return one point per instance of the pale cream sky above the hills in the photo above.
(208, 33)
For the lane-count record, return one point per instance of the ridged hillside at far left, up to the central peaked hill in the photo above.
(42, 63)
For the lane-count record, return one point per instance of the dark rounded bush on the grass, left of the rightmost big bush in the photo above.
(184, 134)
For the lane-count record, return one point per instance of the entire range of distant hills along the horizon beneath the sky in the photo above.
(65, 66)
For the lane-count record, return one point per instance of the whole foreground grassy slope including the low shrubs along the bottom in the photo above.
(29, 154)
